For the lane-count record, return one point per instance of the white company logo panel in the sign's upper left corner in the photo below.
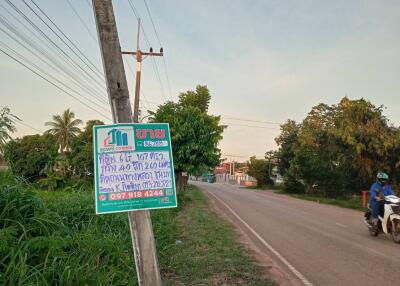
(116, 139)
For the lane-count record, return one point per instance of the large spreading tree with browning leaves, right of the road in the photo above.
(338, 149)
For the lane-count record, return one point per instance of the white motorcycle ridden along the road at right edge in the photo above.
(389, 223)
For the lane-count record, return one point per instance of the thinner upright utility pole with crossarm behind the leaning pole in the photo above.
(140, 56)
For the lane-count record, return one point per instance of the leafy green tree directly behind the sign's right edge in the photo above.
(194, 133)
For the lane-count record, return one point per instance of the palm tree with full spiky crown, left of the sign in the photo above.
(64, 127)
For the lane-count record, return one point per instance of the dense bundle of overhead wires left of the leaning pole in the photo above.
(34, 41)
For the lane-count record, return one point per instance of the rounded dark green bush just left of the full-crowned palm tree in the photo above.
(29, 156)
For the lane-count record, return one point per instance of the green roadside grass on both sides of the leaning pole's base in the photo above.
(55, 238)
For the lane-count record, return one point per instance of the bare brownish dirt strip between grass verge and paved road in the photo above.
(271, 268)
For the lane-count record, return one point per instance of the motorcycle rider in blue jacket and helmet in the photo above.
(378, 191)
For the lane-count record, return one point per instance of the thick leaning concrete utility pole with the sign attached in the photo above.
(139, 221)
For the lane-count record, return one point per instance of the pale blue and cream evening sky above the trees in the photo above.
(264, 61)
